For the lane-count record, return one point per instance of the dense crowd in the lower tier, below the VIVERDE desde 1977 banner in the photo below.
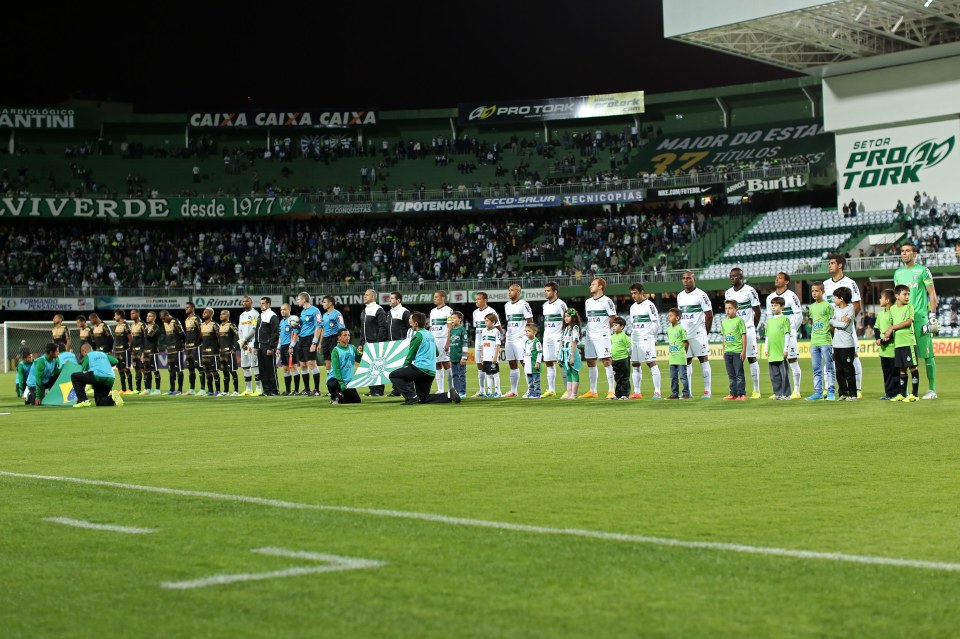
(87, 255)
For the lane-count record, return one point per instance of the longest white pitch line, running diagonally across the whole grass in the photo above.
(523, 528)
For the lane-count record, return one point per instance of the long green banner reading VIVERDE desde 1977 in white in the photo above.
(148, 208)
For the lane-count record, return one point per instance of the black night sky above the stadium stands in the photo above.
(349, 56)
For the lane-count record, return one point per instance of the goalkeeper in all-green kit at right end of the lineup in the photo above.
(923, 298)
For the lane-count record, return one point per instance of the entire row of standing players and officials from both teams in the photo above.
(204, 344)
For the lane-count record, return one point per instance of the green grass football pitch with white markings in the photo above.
(288, 517)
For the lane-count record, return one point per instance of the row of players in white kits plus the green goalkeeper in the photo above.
(696, 316)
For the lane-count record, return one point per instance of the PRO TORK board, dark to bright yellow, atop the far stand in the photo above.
(585, 106)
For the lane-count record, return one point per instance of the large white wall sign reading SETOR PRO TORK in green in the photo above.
(882, 166)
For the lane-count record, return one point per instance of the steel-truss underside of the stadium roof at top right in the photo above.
(809, 38)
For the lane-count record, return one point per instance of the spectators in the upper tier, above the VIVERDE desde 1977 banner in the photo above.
(469, 151)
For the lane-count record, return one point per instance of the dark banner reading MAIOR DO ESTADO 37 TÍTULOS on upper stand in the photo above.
(738, 146)
